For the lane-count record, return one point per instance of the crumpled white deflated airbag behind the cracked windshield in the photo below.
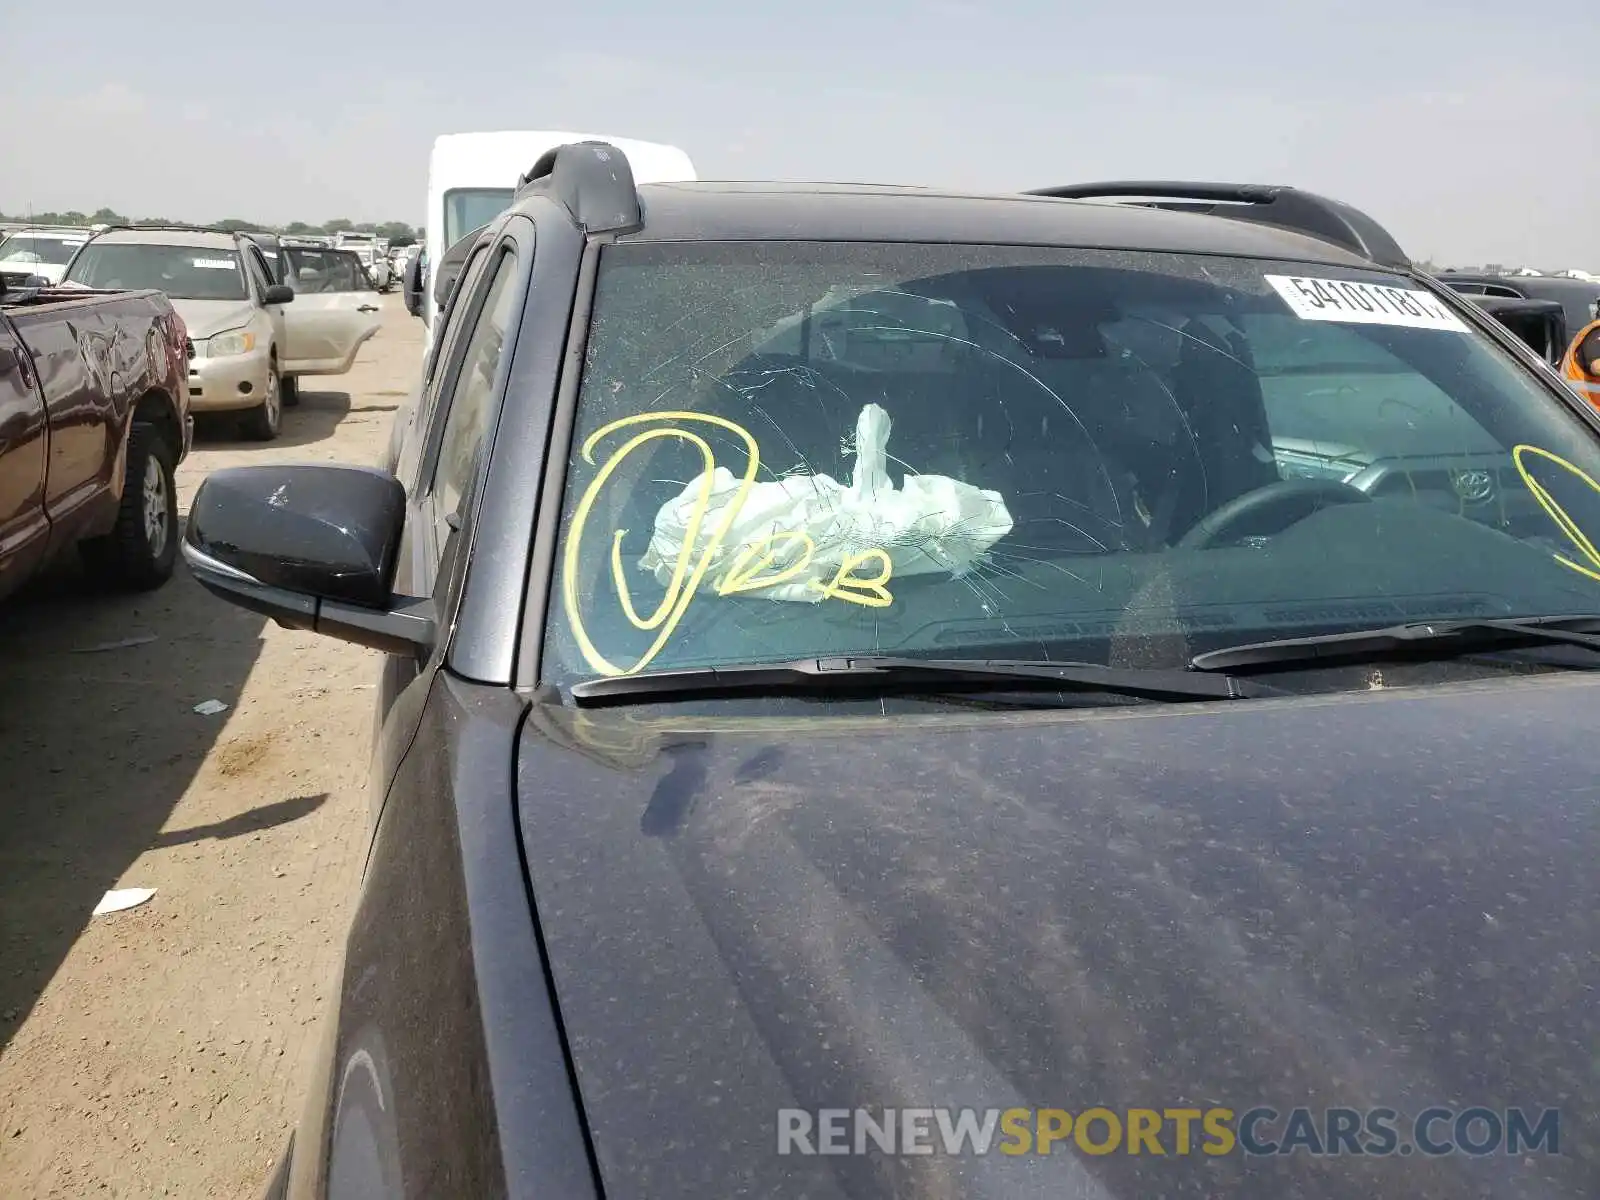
(929, 526)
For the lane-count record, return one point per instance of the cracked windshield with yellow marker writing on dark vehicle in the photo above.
(791, 450)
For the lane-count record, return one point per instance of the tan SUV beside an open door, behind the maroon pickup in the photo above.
(252, 342)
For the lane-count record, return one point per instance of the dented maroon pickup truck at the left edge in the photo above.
(94, 422)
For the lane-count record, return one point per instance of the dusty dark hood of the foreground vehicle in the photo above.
(1362, 902)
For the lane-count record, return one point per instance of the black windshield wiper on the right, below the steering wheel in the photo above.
(1418, 639)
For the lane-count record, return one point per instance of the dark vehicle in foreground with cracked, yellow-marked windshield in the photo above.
(858, 649)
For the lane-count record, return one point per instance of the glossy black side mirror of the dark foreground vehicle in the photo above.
(313, 548)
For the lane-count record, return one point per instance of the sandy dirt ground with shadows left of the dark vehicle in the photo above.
(161, 1050)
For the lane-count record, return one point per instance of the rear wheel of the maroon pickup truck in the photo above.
(142, 550)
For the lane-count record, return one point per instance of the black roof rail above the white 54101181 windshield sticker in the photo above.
(1263, 204)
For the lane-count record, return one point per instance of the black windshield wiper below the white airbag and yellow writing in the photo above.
(881, 674)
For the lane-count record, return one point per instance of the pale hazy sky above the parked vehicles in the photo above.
(1454, 124)
